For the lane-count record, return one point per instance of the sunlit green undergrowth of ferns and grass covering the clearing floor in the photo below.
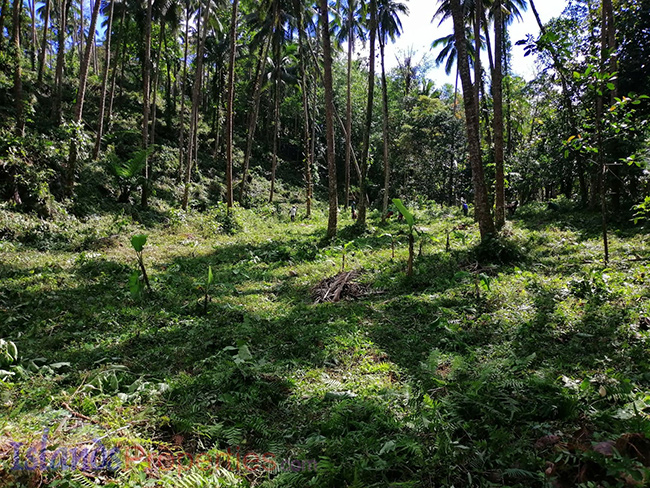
(521, 363)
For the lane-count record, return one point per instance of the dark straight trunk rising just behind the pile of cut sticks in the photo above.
(329, 119)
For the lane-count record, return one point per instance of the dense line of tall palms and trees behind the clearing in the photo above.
(202, 102)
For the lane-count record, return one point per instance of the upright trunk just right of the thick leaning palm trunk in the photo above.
(497, 77)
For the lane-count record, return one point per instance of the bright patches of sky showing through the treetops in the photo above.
(419, 32)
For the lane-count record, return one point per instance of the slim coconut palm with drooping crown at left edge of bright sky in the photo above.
(389, 27)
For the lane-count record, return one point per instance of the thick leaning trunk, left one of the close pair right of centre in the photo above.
(486, 224)
